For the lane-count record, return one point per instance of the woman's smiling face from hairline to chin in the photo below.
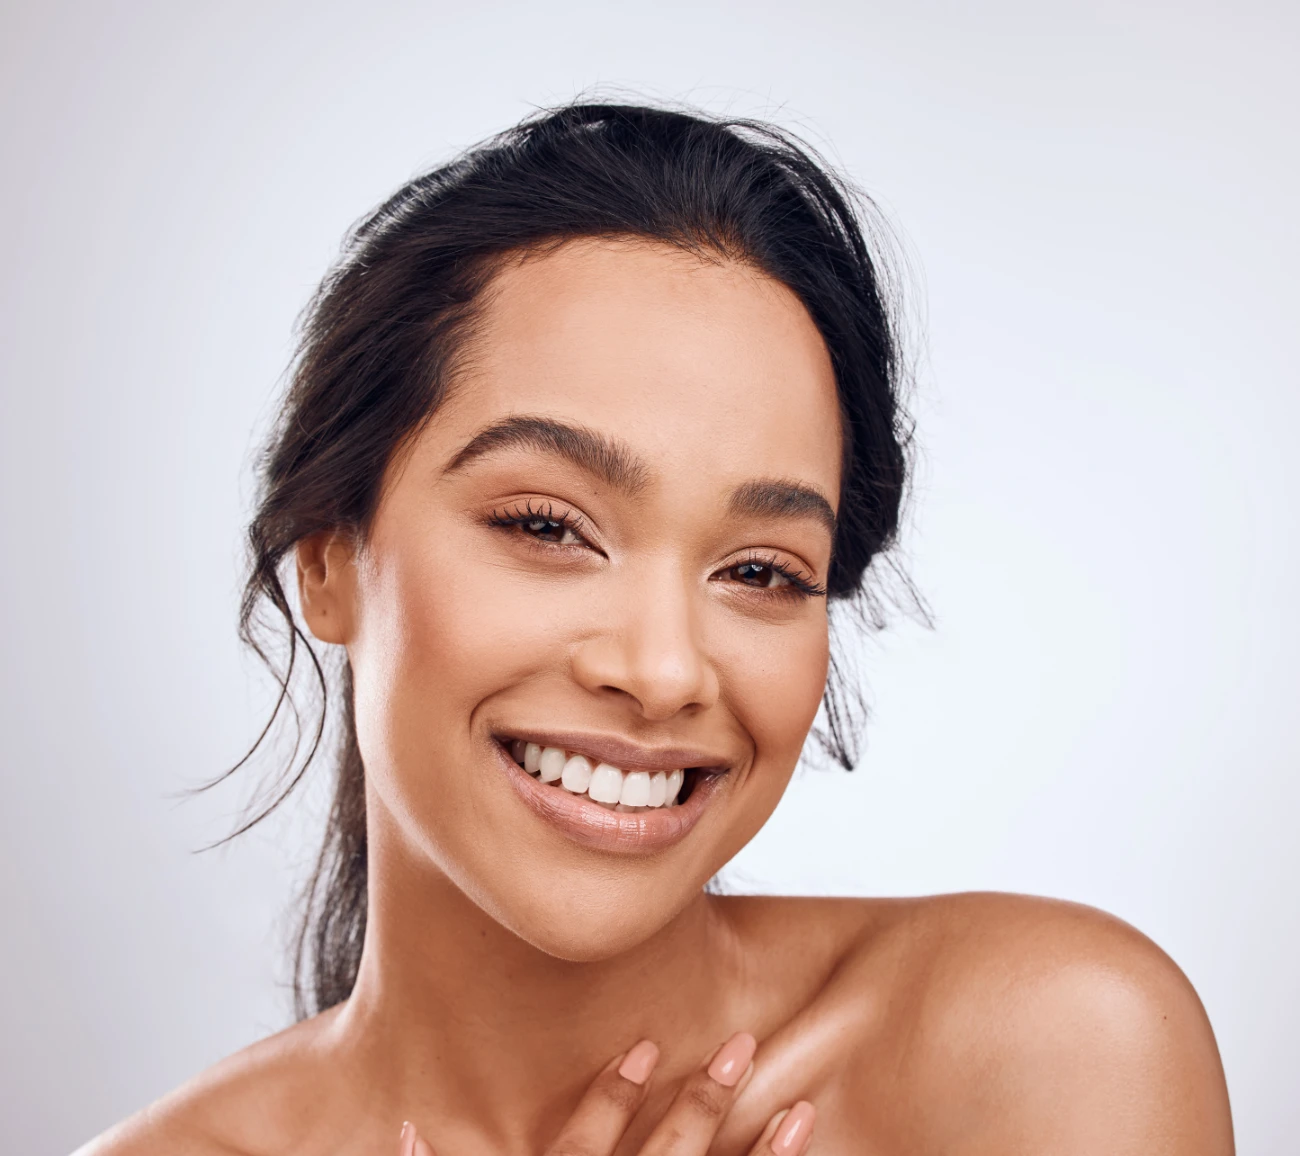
(612, 544)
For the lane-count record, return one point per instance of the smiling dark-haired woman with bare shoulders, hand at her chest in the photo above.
(587, 431)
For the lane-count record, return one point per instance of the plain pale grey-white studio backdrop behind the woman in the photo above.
(1099, 204)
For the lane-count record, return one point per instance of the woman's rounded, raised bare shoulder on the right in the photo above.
(1034, 1025)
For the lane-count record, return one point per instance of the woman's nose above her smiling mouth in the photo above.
(651, 650)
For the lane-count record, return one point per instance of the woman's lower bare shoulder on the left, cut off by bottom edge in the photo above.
(265, 1099)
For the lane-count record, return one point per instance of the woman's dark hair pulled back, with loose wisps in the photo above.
(380, 341)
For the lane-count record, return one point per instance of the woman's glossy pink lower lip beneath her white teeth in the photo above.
(592, 825)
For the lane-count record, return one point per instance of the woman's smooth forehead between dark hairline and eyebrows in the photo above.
(700, 366)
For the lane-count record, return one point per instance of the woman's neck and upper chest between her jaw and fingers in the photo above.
(461, 1021)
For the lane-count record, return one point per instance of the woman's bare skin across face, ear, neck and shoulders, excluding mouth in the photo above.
(506, 963)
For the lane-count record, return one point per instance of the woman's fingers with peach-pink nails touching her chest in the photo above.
(690, 1125)
